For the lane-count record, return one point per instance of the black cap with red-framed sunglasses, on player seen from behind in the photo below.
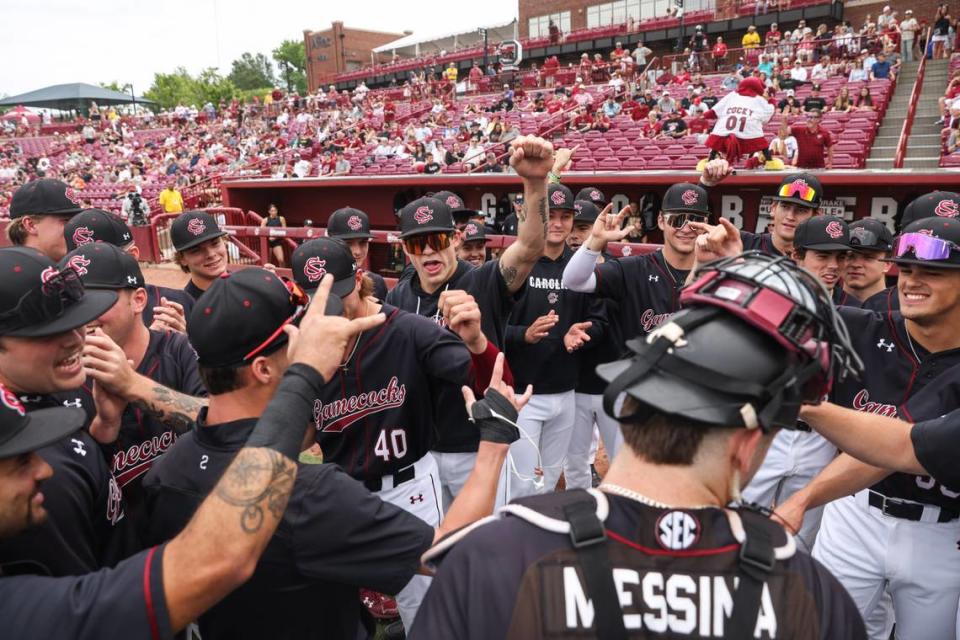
(242, 316)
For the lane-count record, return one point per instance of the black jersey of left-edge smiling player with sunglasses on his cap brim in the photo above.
(86, 527)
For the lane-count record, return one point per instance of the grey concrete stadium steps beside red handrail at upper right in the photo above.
(923, 145)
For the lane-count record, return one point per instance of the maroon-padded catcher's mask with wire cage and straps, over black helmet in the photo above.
(773, 295)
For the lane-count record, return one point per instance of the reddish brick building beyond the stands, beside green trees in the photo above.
(339, 49)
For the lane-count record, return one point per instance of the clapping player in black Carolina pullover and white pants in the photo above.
(547, 329)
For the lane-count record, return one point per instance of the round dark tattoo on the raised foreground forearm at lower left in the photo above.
(257, 479)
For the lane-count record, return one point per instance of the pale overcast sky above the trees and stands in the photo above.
(49, 42)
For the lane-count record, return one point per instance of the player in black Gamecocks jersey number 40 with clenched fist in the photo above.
(376, 418)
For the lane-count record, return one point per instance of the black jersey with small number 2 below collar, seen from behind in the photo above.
(335, 537)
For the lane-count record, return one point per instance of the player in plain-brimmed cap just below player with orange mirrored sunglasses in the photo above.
(796, 456)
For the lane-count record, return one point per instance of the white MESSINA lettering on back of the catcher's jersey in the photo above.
(678, 604)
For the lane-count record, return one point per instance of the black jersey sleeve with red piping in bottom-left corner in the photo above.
(127, 601)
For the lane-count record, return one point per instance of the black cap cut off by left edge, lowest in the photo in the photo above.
(22, 432)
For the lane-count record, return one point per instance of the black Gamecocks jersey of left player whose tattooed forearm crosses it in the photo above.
(172, 362)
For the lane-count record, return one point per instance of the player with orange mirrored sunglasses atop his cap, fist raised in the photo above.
(797, 199)
